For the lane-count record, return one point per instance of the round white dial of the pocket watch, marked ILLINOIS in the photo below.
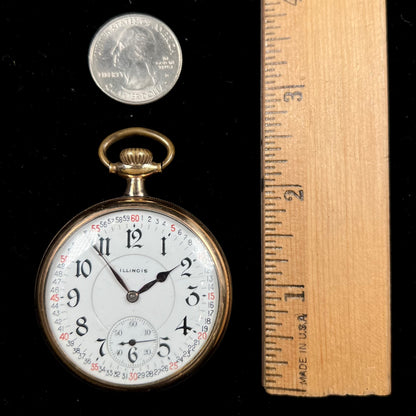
(131, 297)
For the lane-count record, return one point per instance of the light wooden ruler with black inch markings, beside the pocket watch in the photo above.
(325, 201)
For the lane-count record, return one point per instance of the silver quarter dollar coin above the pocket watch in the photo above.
(135, 58)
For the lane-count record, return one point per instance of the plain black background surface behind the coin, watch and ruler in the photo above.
(53, 119)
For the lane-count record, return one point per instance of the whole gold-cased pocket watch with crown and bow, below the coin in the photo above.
(134, 292)
